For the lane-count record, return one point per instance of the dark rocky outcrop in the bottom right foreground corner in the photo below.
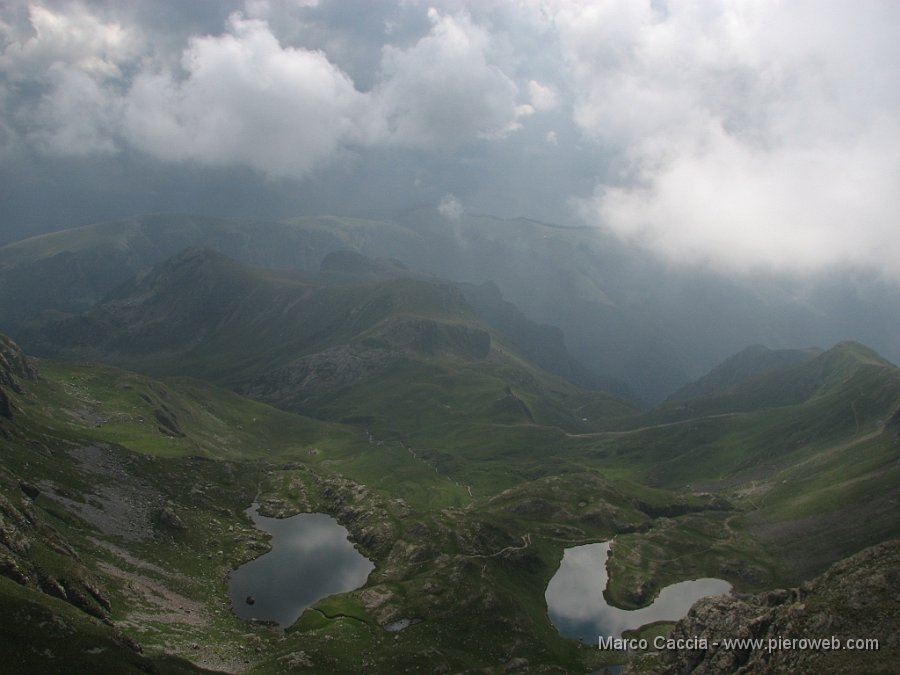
(858, 598)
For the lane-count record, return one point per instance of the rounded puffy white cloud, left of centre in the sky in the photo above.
(247, 100)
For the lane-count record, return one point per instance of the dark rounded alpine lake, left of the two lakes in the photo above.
(311, 558)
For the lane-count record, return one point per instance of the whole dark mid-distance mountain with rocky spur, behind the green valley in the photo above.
(400, 355)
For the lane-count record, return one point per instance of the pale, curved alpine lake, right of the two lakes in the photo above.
(577, 608)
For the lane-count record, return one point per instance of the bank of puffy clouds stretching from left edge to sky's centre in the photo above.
(243, 98)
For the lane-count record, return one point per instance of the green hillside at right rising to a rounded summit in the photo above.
(808, 454)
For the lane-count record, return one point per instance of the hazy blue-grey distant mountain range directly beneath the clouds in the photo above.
(627, 318)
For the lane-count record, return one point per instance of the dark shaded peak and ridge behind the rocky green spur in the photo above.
(201, 303)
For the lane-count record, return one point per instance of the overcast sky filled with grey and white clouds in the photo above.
(742, 134)
